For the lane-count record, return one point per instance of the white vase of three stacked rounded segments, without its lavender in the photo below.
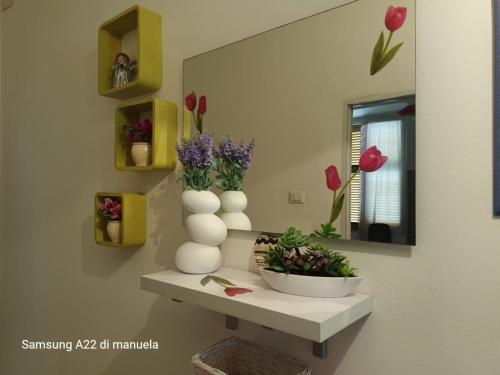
(207, 231)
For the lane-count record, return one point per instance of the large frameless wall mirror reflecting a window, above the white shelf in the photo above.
(315, 93)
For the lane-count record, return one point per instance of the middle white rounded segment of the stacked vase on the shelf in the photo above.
(206, 229)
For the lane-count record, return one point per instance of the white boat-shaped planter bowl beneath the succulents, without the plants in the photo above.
(310, 286)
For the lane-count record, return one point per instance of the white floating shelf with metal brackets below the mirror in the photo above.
(314, 319)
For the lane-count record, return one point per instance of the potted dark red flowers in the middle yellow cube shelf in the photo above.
(140, 134)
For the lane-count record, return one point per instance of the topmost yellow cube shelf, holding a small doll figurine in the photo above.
(149, 55)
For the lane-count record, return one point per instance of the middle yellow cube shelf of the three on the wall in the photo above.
(163, 115)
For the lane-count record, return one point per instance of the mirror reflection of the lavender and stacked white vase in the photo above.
(232, 160)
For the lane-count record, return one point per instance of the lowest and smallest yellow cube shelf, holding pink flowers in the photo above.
(134, 220)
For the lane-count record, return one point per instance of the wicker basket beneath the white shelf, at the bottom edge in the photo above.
(235, 356)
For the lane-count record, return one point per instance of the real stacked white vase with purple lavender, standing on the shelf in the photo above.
(207, 230)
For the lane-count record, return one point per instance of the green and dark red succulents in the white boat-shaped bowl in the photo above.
(316, 260)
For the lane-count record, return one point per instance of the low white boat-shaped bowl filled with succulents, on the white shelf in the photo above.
(297, 266)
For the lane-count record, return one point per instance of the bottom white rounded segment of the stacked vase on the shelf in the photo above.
(195, 258)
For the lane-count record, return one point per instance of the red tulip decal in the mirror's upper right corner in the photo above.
(381, 56)
